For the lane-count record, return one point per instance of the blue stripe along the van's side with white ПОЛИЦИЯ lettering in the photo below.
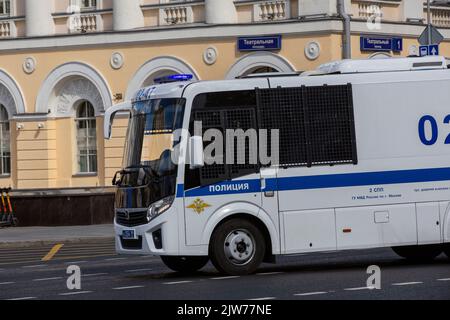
(324, 181)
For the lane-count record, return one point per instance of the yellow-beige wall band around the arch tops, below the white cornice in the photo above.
(136, 56)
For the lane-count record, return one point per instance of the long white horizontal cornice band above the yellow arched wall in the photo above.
(177, 33)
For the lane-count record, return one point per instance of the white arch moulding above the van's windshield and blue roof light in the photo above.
(154, 66)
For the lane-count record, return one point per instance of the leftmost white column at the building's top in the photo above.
(39, 20)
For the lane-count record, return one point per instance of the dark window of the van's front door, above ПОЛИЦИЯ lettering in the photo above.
(222, 111)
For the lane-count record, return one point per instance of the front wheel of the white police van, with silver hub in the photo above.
(237, 247)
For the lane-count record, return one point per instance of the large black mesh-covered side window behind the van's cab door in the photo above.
(316, 124)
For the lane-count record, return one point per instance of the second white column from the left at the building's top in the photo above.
(127, 15)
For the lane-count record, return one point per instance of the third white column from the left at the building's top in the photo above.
(220, 12)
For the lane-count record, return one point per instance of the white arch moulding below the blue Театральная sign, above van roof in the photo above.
(259, 59)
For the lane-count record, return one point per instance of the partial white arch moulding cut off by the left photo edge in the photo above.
(11, 95)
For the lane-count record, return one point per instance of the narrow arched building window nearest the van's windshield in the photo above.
(86, 138)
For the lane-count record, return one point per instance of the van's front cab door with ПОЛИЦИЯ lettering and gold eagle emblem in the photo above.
(226, 120)
